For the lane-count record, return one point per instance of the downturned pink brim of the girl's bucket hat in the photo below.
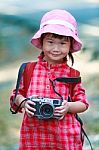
(60, 30)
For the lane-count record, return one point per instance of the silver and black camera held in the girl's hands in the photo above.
(45, 107)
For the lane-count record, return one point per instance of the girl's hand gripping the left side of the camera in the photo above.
(29, 108)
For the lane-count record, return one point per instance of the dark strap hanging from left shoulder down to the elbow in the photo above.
(21, 69)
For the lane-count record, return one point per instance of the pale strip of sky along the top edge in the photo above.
(17, 6)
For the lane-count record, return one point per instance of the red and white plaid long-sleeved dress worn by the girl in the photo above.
(51, 134)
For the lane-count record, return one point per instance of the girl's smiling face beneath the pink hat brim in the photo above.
(55, 48)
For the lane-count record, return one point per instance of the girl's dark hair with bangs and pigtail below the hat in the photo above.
(59, 36)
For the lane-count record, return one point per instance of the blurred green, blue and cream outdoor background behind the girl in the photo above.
(18, 22)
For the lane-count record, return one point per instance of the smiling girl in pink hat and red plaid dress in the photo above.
(58, 39)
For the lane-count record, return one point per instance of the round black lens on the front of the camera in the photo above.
(46, 111)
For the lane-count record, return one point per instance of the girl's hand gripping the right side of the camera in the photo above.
(62, 110)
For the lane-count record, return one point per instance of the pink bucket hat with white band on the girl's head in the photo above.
(59, 22)
